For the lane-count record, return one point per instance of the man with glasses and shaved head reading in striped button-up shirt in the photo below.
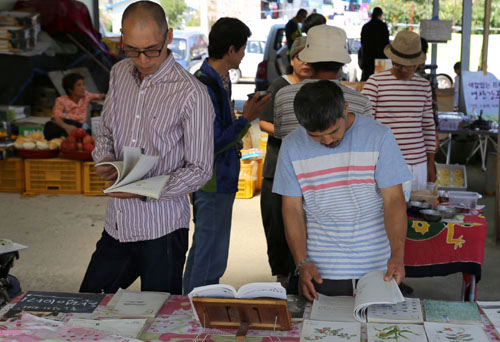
(153, 104)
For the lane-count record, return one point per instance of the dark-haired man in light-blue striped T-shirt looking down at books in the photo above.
(340, 176)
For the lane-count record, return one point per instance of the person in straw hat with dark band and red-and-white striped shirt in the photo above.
(402, 100)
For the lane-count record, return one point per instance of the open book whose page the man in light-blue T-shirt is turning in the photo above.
(371, 290)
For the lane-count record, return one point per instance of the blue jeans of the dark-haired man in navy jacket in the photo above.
(207, 259)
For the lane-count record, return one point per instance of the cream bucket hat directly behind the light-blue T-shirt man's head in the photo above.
(325, 44)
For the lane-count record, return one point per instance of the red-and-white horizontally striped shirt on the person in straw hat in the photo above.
(405, 107)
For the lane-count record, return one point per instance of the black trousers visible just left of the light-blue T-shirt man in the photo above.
(277, 248)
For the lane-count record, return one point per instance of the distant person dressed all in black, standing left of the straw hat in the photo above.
(374, 38)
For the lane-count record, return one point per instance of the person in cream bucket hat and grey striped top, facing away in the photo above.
(326, 52)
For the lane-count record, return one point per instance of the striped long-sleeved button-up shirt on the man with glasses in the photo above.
(168, 114)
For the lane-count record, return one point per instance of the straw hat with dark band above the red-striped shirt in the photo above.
(405, 49)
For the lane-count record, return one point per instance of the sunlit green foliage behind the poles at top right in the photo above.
(399, 11)
